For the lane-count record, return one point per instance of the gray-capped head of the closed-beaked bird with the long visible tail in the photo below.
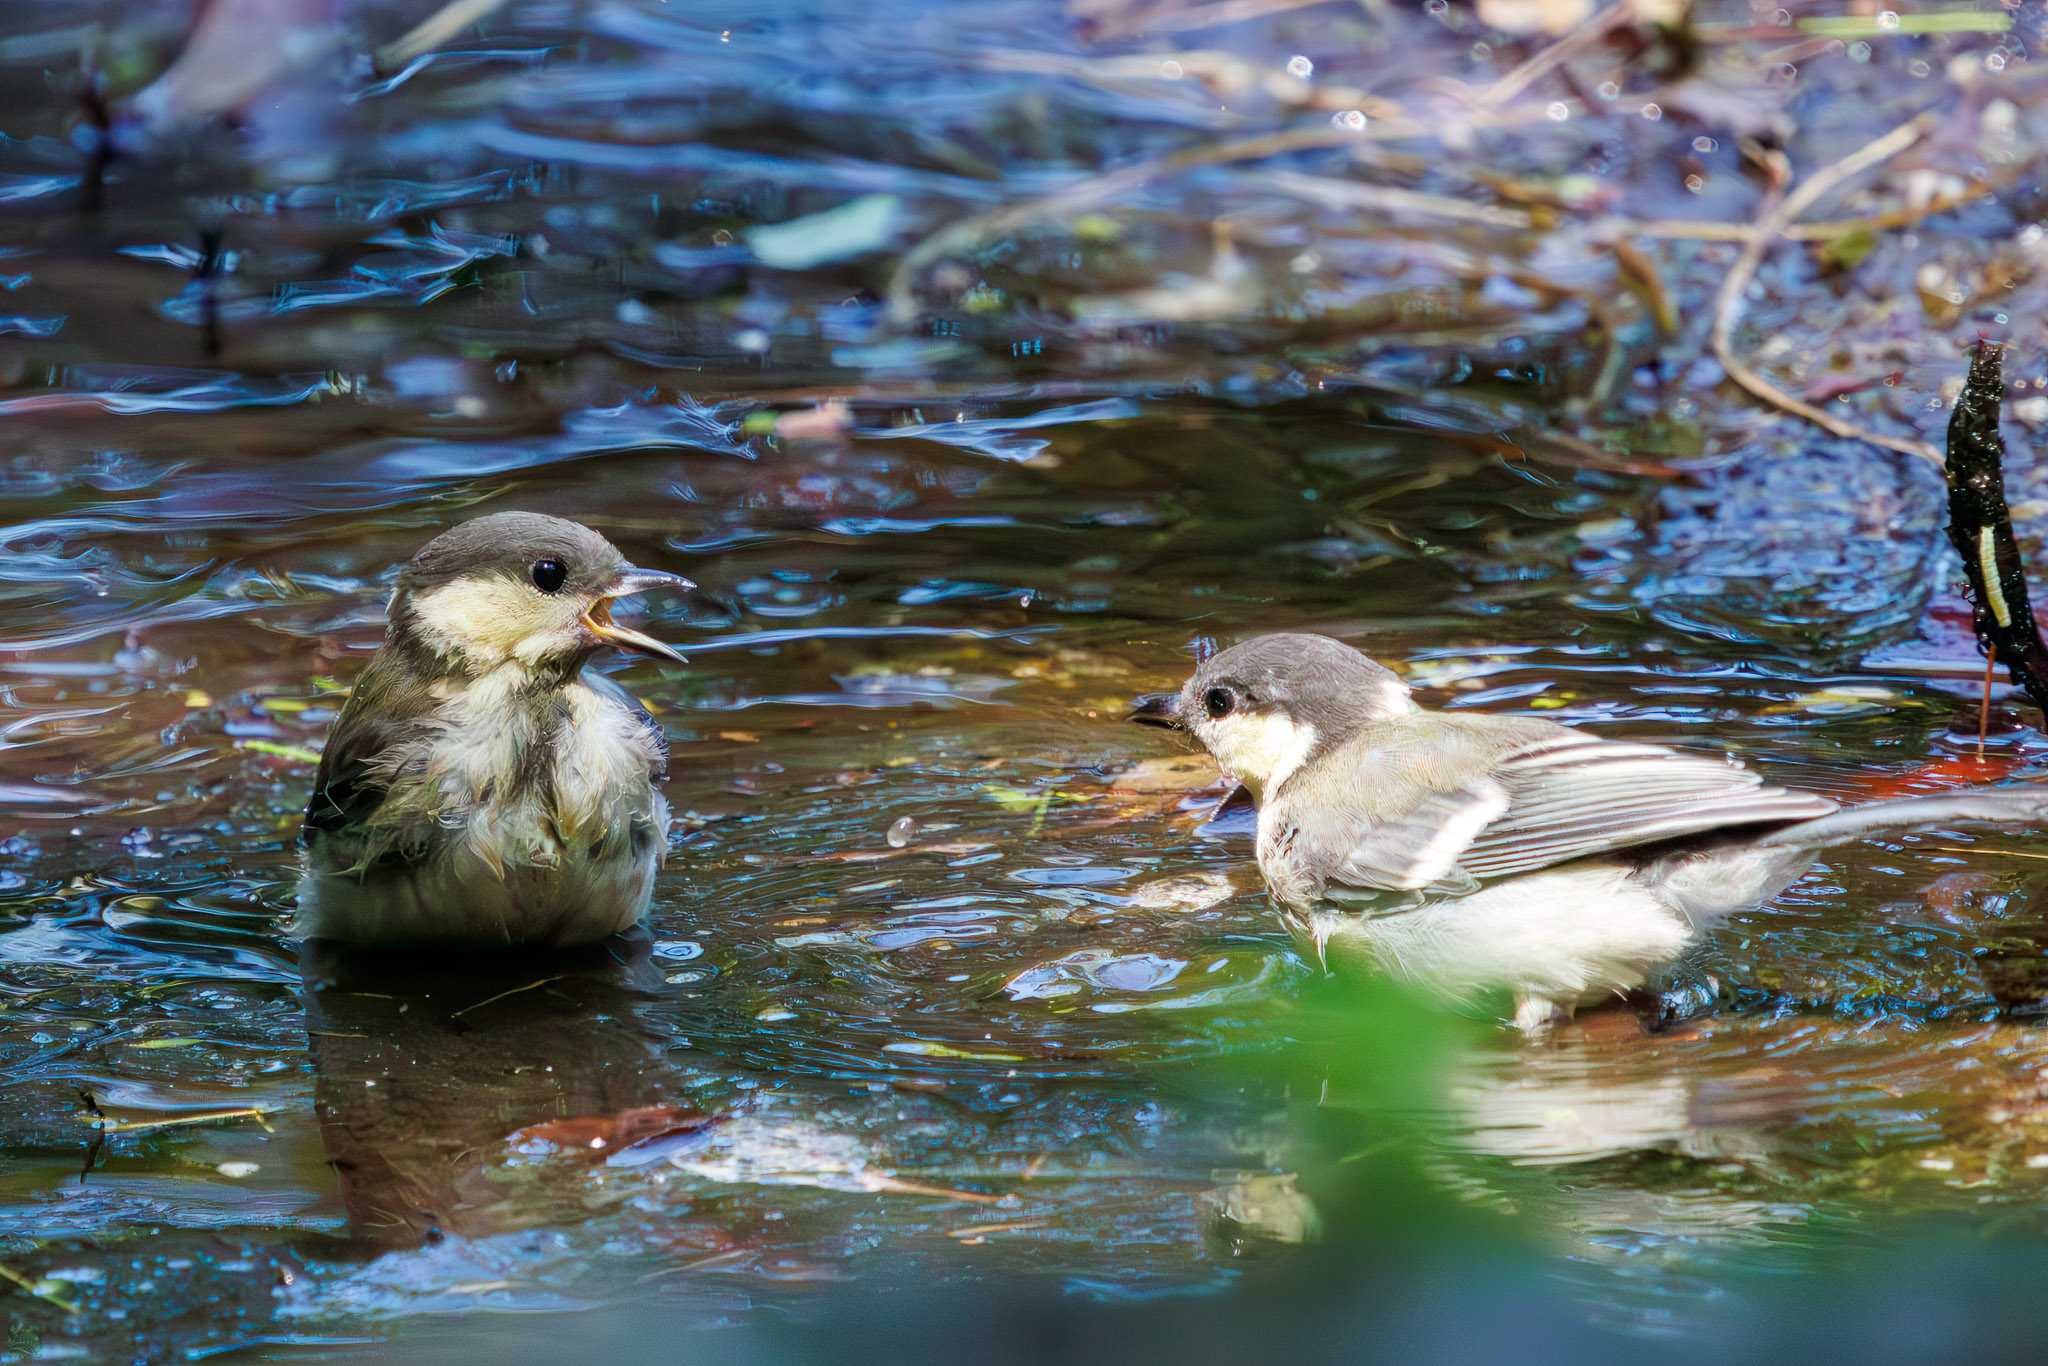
(1265, 708)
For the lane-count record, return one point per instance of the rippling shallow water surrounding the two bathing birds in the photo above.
(949, 980)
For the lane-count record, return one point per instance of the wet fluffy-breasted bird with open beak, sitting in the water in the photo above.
(484, 785)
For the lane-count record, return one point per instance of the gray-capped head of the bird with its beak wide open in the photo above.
(521, 589)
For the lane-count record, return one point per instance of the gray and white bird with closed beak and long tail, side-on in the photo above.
(1469, 853)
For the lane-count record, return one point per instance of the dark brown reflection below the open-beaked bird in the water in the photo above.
(431, 1080)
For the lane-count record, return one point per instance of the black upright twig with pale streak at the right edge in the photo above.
(1981, 529)
